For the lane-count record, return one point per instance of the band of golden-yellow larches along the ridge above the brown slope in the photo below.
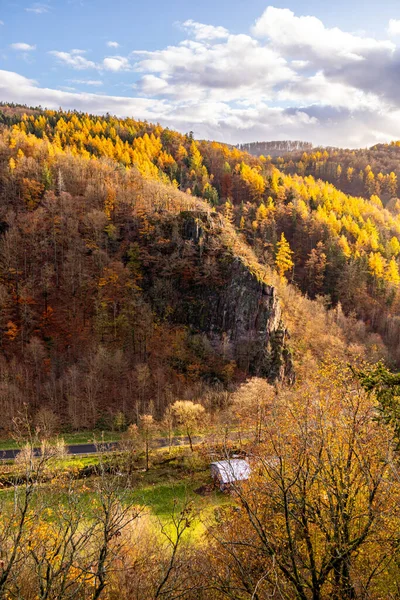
(345, 248)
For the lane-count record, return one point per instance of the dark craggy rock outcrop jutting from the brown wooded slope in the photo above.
(211, 290)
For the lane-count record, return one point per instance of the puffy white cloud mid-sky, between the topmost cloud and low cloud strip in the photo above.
(239, 66)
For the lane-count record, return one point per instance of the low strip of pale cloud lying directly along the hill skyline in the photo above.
(219, 120)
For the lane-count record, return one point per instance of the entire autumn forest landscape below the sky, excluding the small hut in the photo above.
(244, 299)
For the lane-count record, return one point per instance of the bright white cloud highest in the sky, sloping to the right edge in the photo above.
(356, 61)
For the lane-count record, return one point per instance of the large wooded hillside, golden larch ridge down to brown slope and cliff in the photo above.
(119, 292)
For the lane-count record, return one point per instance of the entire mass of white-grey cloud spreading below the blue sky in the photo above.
(296, 78)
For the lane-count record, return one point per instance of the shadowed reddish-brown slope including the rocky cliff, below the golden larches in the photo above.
(102, 314)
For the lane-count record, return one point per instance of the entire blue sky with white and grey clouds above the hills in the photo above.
(230, 70)
